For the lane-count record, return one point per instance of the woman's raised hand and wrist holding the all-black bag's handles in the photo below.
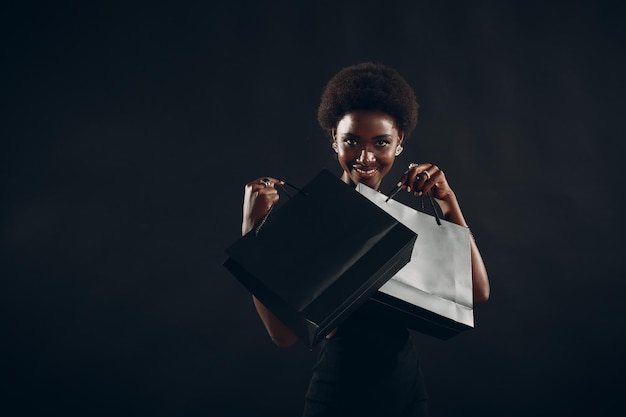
(260, 195)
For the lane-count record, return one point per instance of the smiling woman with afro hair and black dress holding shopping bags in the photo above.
(368, 366)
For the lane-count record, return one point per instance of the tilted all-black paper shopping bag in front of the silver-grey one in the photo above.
(320, 255)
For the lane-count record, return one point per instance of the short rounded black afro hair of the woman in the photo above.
(368, 86)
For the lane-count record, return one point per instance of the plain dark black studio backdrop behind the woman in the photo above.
(128, 132)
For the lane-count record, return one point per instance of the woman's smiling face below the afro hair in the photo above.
(366, 146)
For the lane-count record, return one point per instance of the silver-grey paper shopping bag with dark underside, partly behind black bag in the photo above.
(433, 292)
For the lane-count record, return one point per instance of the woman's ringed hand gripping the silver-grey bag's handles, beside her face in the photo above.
(426, 178)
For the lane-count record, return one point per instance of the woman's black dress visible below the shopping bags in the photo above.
(368, 368)
